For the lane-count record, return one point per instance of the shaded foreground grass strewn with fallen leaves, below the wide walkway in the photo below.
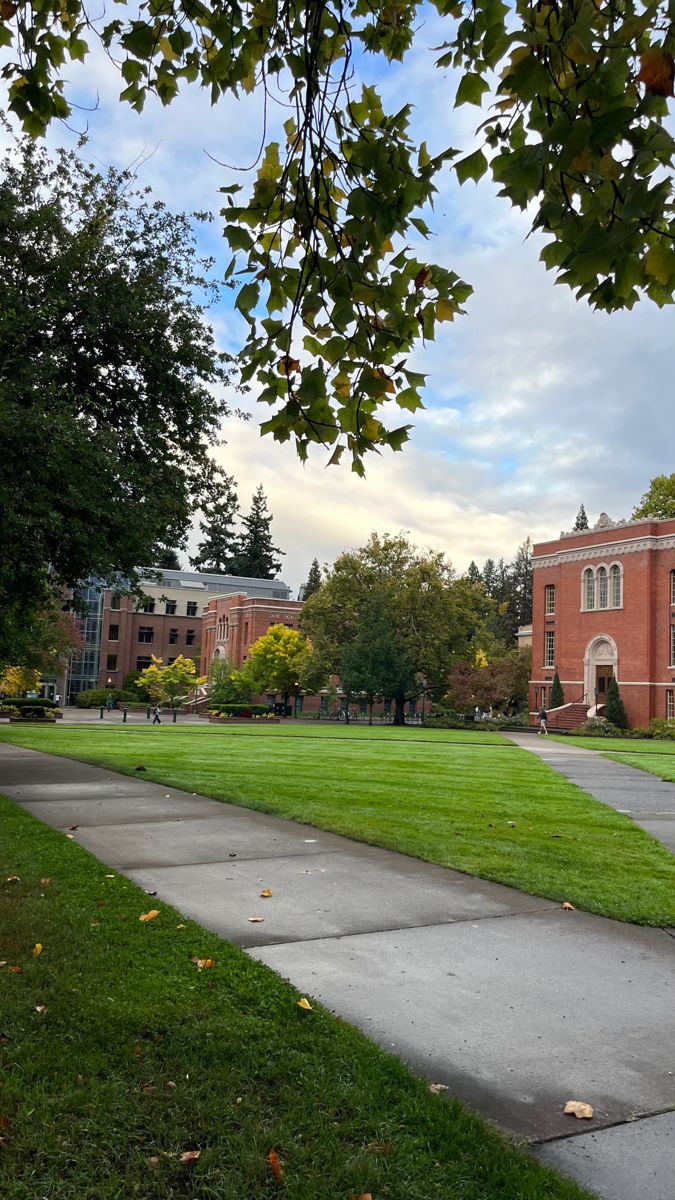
(120, 1055)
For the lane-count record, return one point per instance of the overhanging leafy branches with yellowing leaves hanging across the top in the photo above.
(333, 295)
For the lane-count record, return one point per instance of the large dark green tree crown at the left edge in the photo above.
(106, 404)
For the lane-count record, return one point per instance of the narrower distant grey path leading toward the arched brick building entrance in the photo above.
(647, 800)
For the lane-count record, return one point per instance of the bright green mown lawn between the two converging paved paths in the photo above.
(485, 807)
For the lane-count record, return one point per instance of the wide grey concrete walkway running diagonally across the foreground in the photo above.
(513, 1004)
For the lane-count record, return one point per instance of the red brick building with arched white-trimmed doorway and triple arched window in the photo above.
(605, 605)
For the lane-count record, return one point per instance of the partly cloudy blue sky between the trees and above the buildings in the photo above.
(534, 404)
